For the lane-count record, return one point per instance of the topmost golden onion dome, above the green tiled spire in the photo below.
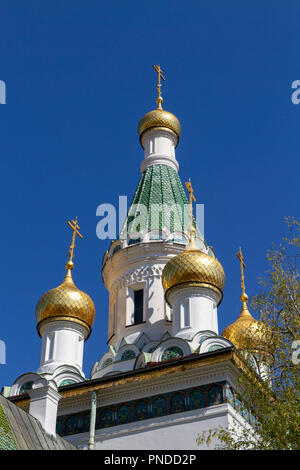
(159, 118)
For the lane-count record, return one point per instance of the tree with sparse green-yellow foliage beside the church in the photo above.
(275, 401)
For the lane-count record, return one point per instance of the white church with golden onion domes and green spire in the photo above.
(168, 373)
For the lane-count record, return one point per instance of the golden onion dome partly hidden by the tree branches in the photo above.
(246, 333)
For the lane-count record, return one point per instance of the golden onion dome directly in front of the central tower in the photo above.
(193, 267)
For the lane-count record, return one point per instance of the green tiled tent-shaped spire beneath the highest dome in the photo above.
(161, 192)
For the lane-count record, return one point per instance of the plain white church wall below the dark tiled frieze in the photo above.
(177, 432)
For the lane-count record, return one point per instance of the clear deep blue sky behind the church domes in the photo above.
(79, 78)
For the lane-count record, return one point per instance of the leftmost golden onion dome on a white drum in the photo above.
(66, 302)
